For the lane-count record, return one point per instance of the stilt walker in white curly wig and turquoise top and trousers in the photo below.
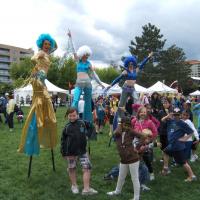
(85, 72)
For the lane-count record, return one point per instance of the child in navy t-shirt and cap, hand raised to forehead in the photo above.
(176, 135)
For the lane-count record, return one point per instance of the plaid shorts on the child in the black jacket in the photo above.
(84, 161)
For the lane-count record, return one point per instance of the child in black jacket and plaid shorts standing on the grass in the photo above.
(73, 146)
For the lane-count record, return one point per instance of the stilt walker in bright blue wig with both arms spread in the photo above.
(129, 75)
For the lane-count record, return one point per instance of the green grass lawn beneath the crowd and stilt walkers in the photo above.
(44, 184)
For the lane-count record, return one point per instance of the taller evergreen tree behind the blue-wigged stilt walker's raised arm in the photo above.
(151, 40)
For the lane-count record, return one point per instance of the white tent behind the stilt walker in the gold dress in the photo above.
(27, 92)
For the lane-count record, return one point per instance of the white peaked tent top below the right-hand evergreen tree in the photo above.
(160, 87)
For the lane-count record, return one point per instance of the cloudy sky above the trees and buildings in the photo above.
(107, 26)
